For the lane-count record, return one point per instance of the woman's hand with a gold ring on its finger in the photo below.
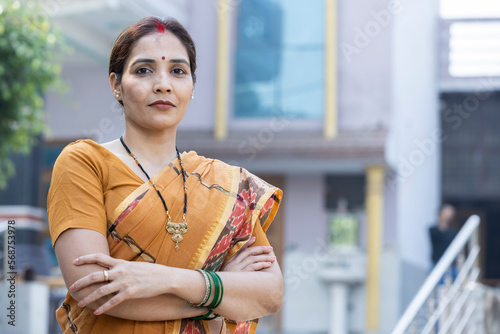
(125, 280)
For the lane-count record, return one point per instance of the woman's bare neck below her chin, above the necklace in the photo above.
(158, 148)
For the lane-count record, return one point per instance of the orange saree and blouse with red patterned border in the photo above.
(92, 188)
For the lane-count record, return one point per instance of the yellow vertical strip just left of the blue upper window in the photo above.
(223, 62)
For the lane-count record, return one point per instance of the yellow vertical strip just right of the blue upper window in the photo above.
(331, 110)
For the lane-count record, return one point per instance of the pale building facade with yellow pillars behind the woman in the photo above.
(334, 101)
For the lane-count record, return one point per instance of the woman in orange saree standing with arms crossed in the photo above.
(149, 240)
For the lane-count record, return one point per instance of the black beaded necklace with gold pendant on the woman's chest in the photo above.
(176, 229)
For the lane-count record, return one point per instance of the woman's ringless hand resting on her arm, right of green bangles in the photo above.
(250, 258)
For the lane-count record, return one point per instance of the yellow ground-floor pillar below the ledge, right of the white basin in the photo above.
(374, 213)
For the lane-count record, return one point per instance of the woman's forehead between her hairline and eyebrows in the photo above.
(157, 45)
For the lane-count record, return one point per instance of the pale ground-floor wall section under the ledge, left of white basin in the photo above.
(306, 236)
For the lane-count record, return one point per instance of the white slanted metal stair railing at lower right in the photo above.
(450, 300)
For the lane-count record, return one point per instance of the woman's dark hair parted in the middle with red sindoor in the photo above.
(145, 26)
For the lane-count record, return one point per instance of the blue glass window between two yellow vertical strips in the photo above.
(280, 59)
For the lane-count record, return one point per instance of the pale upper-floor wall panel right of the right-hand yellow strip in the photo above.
(364, 37)
